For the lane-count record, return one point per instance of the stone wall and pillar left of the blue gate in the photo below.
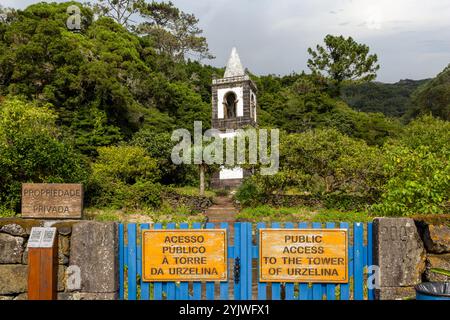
(91, 246)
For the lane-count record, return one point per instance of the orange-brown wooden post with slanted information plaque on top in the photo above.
(42, 264)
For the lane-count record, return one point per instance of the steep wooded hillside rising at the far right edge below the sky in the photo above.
(433, 97)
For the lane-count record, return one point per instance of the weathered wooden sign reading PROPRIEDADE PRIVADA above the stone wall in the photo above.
(51, 200)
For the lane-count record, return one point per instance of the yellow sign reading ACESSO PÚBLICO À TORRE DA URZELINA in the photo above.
(184, 255)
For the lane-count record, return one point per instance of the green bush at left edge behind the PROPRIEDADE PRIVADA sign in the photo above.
(31, 150)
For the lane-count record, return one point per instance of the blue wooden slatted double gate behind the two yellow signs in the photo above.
(243, 264)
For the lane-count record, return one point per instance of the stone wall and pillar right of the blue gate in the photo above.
(406, 250)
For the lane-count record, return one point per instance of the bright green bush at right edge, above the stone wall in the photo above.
(418, 169)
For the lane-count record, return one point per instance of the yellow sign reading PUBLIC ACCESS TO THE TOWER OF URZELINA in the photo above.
(303, 255)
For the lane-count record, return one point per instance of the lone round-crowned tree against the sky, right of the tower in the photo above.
(343, 59)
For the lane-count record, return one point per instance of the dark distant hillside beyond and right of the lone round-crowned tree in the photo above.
(390, 99)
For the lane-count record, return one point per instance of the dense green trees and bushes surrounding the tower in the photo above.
(98, 107)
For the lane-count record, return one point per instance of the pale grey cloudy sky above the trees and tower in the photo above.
(411, 37)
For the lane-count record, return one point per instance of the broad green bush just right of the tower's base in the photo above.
(326, 164)
